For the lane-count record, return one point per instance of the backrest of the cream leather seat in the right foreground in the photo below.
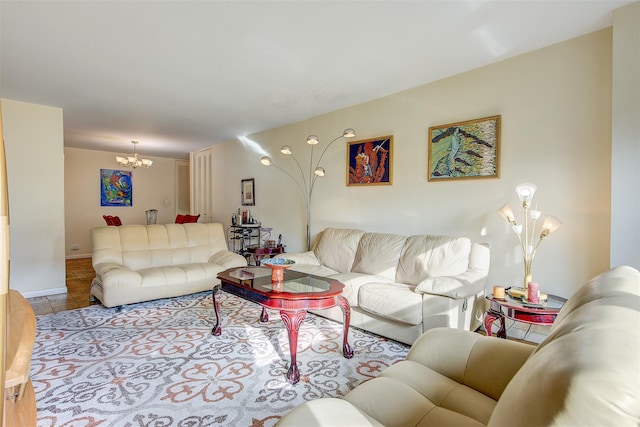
(587, 370)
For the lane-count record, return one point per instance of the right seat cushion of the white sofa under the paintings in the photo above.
(393, 301)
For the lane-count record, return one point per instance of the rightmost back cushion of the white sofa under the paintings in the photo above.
(427, 256)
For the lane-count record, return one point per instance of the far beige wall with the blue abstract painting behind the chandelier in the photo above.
(153, 188)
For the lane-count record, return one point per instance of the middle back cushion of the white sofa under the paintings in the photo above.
(378, 253)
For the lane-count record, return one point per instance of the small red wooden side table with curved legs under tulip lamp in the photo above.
(516, 309)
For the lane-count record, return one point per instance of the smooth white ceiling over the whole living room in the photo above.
(182, 75)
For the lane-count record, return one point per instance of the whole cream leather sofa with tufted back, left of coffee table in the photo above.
(136, 263)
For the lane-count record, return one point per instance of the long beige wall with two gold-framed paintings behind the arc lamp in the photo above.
(556, 132)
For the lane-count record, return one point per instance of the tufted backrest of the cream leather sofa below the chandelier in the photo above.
(144, 246)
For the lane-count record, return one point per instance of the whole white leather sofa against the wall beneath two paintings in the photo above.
(400, 286)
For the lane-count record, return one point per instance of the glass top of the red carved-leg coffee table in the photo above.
(259, 279)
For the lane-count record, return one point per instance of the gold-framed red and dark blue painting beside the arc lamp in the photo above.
(370, 162)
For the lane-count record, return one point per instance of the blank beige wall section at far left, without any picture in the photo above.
(34, 147)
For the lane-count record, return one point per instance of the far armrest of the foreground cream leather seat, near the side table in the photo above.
(486, 364)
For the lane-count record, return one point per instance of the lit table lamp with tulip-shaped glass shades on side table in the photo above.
(526, 231)
